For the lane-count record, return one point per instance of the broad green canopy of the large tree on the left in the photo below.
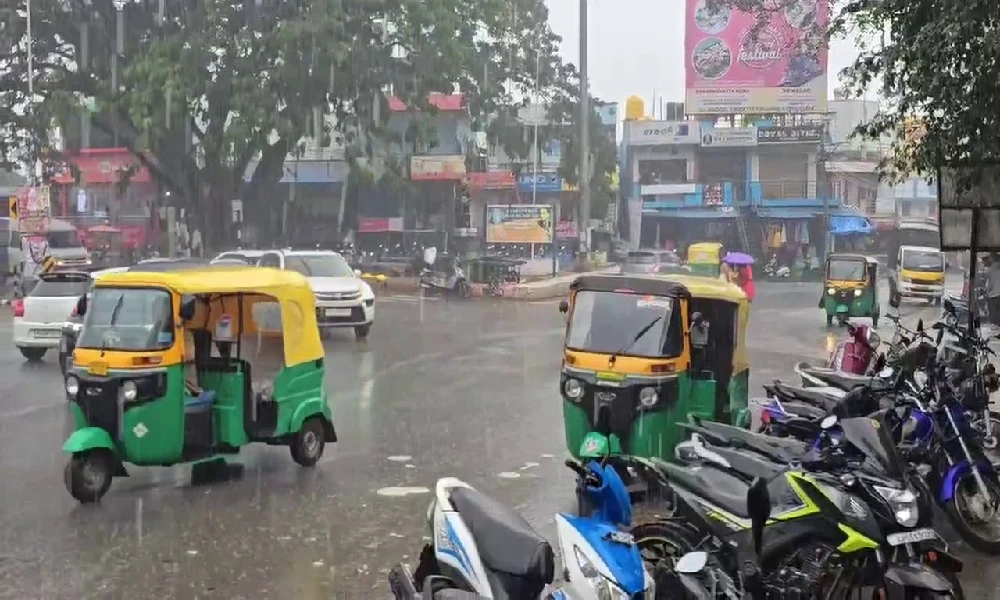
(242, 82)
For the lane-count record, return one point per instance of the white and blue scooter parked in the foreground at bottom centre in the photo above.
(483, 550)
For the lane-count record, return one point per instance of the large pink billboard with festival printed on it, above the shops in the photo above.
(734, 65)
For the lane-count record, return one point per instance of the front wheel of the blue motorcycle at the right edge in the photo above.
(976, 519)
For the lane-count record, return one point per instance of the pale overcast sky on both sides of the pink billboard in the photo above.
(637, 46)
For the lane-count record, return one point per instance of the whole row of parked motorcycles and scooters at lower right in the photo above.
(843, 491)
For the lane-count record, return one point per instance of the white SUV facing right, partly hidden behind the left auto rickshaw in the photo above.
(343, 299)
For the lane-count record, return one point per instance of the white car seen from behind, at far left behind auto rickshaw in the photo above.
(40, 317)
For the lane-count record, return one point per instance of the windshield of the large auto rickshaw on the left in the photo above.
(128, 319)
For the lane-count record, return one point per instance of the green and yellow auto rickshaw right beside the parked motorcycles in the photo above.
(642, 353)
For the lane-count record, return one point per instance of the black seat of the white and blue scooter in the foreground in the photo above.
(505, 541)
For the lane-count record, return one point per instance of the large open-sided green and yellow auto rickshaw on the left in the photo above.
(189, 366)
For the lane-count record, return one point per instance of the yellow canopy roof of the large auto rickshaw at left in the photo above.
(288, 289)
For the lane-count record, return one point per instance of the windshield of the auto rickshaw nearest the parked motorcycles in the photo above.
(608, 322)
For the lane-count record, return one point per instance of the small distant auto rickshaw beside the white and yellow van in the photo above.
(850, 288)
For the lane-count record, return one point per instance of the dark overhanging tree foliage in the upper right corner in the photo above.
(935, 64)
